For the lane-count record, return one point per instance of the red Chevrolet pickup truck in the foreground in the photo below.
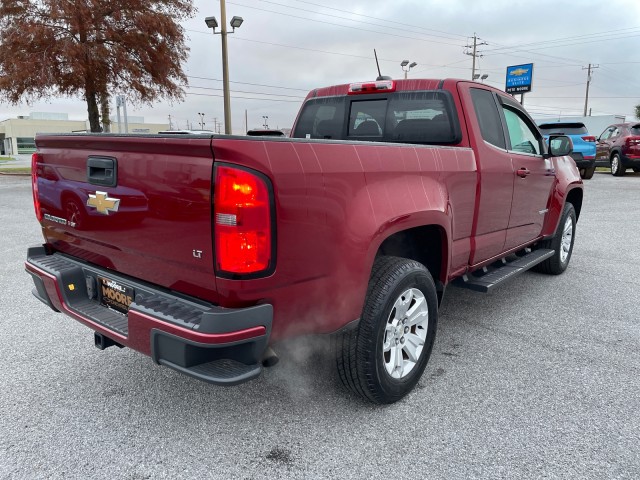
(201, 252)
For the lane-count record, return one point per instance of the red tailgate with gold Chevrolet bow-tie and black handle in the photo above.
(138, 205)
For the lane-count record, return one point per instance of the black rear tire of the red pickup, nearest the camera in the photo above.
(361, 358)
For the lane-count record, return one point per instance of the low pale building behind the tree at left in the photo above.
(17, 135)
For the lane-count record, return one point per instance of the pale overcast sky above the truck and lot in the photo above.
(286, 47)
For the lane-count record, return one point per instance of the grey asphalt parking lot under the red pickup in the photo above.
(539, 379)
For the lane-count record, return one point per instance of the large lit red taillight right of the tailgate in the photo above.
(242, 218)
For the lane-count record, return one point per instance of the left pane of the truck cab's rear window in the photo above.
(321, 118)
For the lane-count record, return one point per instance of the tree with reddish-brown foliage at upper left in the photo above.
(90, 48)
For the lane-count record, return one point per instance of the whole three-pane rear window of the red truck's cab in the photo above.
(403, 117)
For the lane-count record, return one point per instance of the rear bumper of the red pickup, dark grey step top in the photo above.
(214, 344)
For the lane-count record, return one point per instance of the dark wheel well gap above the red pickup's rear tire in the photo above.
(422, 244)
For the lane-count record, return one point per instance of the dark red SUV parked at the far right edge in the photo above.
(618, 147)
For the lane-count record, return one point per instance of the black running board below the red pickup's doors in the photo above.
(485, 279)
